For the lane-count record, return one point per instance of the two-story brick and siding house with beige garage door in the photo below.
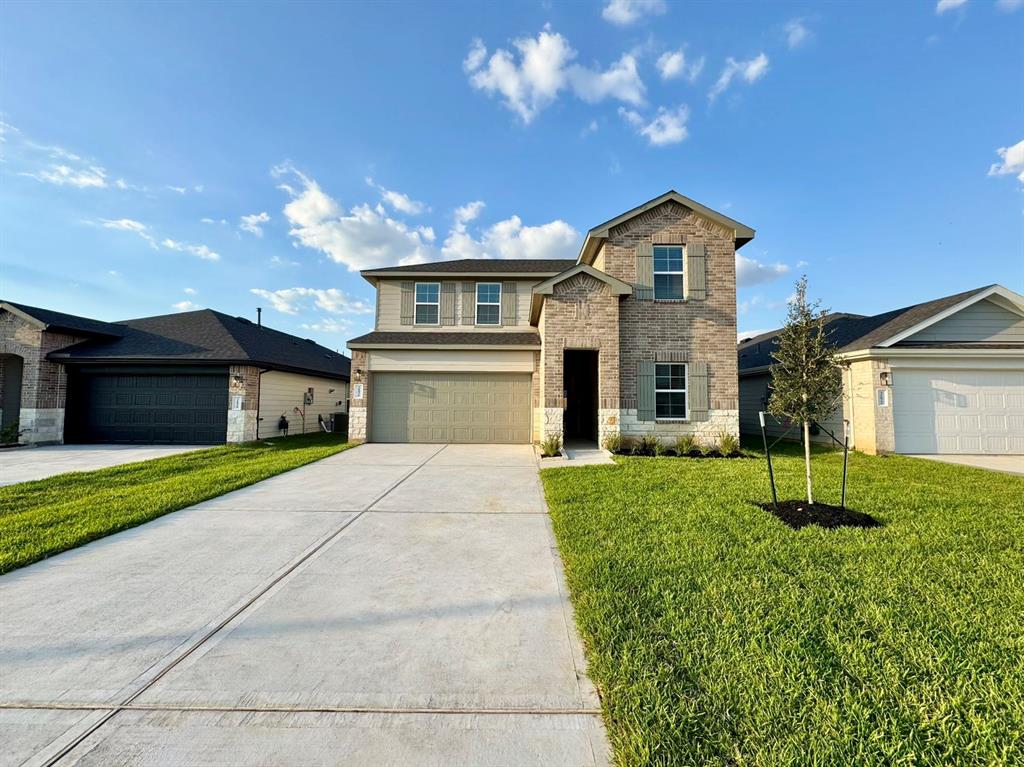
(636, 336)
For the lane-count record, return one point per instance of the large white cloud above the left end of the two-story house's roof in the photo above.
(361, 238)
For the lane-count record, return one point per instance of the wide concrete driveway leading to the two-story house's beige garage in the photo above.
(391, 606)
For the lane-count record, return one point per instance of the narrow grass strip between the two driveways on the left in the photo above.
(46, 518)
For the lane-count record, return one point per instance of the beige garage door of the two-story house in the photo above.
(450, 408)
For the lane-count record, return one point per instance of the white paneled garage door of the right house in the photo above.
(959, 411)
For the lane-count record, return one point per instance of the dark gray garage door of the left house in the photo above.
(180, 408)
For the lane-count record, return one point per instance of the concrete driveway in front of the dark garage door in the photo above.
(26, 464)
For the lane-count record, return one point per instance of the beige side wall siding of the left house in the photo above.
(281, 393)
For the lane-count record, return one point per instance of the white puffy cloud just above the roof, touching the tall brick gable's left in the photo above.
(509, 239)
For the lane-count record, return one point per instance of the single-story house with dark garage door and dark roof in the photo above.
(191, 378)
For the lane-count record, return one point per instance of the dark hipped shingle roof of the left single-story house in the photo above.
(208, 336)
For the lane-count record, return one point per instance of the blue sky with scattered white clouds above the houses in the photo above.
(158, 158)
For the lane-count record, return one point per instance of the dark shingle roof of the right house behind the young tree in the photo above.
(855, 332)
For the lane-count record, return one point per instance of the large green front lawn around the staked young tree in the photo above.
(717, 635)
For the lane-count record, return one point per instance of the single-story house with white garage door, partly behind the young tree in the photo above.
(941, 377)
